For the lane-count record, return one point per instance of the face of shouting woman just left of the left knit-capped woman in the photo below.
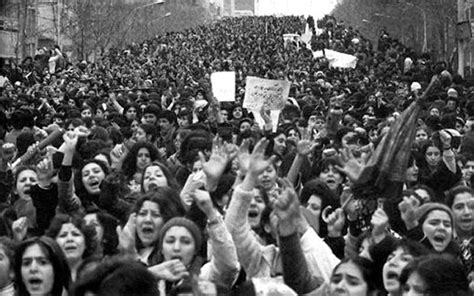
(149, 223)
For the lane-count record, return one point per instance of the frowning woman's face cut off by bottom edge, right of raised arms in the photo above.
(348, 280)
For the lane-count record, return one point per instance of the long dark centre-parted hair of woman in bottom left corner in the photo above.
(53, 252)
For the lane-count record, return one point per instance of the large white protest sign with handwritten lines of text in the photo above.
(271, 94)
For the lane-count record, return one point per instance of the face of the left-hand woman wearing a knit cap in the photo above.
(178, 243)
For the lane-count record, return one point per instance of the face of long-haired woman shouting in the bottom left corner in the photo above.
(37, 272)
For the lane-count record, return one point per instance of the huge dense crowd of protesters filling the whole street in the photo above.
(126, 177)
